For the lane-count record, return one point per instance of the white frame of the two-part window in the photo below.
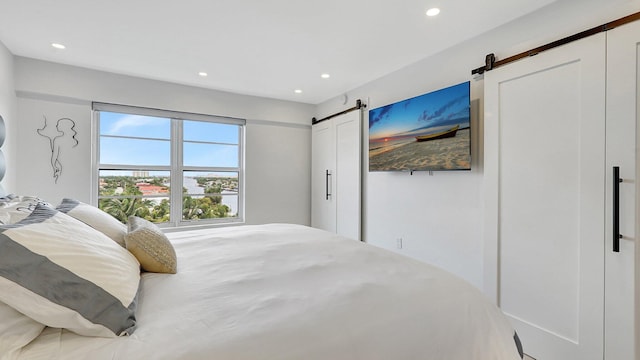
(176, 167)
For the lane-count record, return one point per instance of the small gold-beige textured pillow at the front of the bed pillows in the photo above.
(150, 246)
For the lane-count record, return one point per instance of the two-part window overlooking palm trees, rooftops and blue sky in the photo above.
(171, 168)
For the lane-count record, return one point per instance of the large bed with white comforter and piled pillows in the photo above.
(251, 292)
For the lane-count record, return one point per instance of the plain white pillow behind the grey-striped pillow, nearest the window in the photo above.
(95, 218)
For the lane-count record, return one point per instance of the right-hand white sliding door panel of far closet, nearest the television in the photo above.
(347, 181)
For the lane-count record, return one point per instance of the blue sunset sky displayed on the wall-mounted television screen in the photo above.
(434, 109)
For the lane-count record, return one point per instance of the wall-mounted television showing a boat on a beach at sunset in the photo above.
(425, 133)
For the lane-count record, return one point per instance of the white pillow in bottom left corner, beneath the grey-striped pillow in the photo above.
(16, 331)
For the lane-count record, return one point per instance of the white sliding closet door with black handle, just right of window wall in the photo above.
(323, 205)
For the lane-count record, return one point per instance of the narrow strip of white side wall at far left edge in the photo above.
(8, 113)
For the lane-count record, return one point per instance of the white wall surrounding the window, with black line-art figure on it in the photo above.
(278, 134)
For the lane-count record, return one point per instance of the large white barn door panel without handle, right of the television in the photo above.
(545, 198)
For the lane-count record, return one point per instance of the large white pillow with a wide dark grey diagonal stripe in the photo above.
(65, 274)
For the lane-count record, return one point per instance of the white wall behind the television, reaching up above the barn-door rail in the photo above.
(440, 217)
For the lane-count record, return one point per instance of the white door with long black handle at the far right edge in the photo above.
(623, 89)
